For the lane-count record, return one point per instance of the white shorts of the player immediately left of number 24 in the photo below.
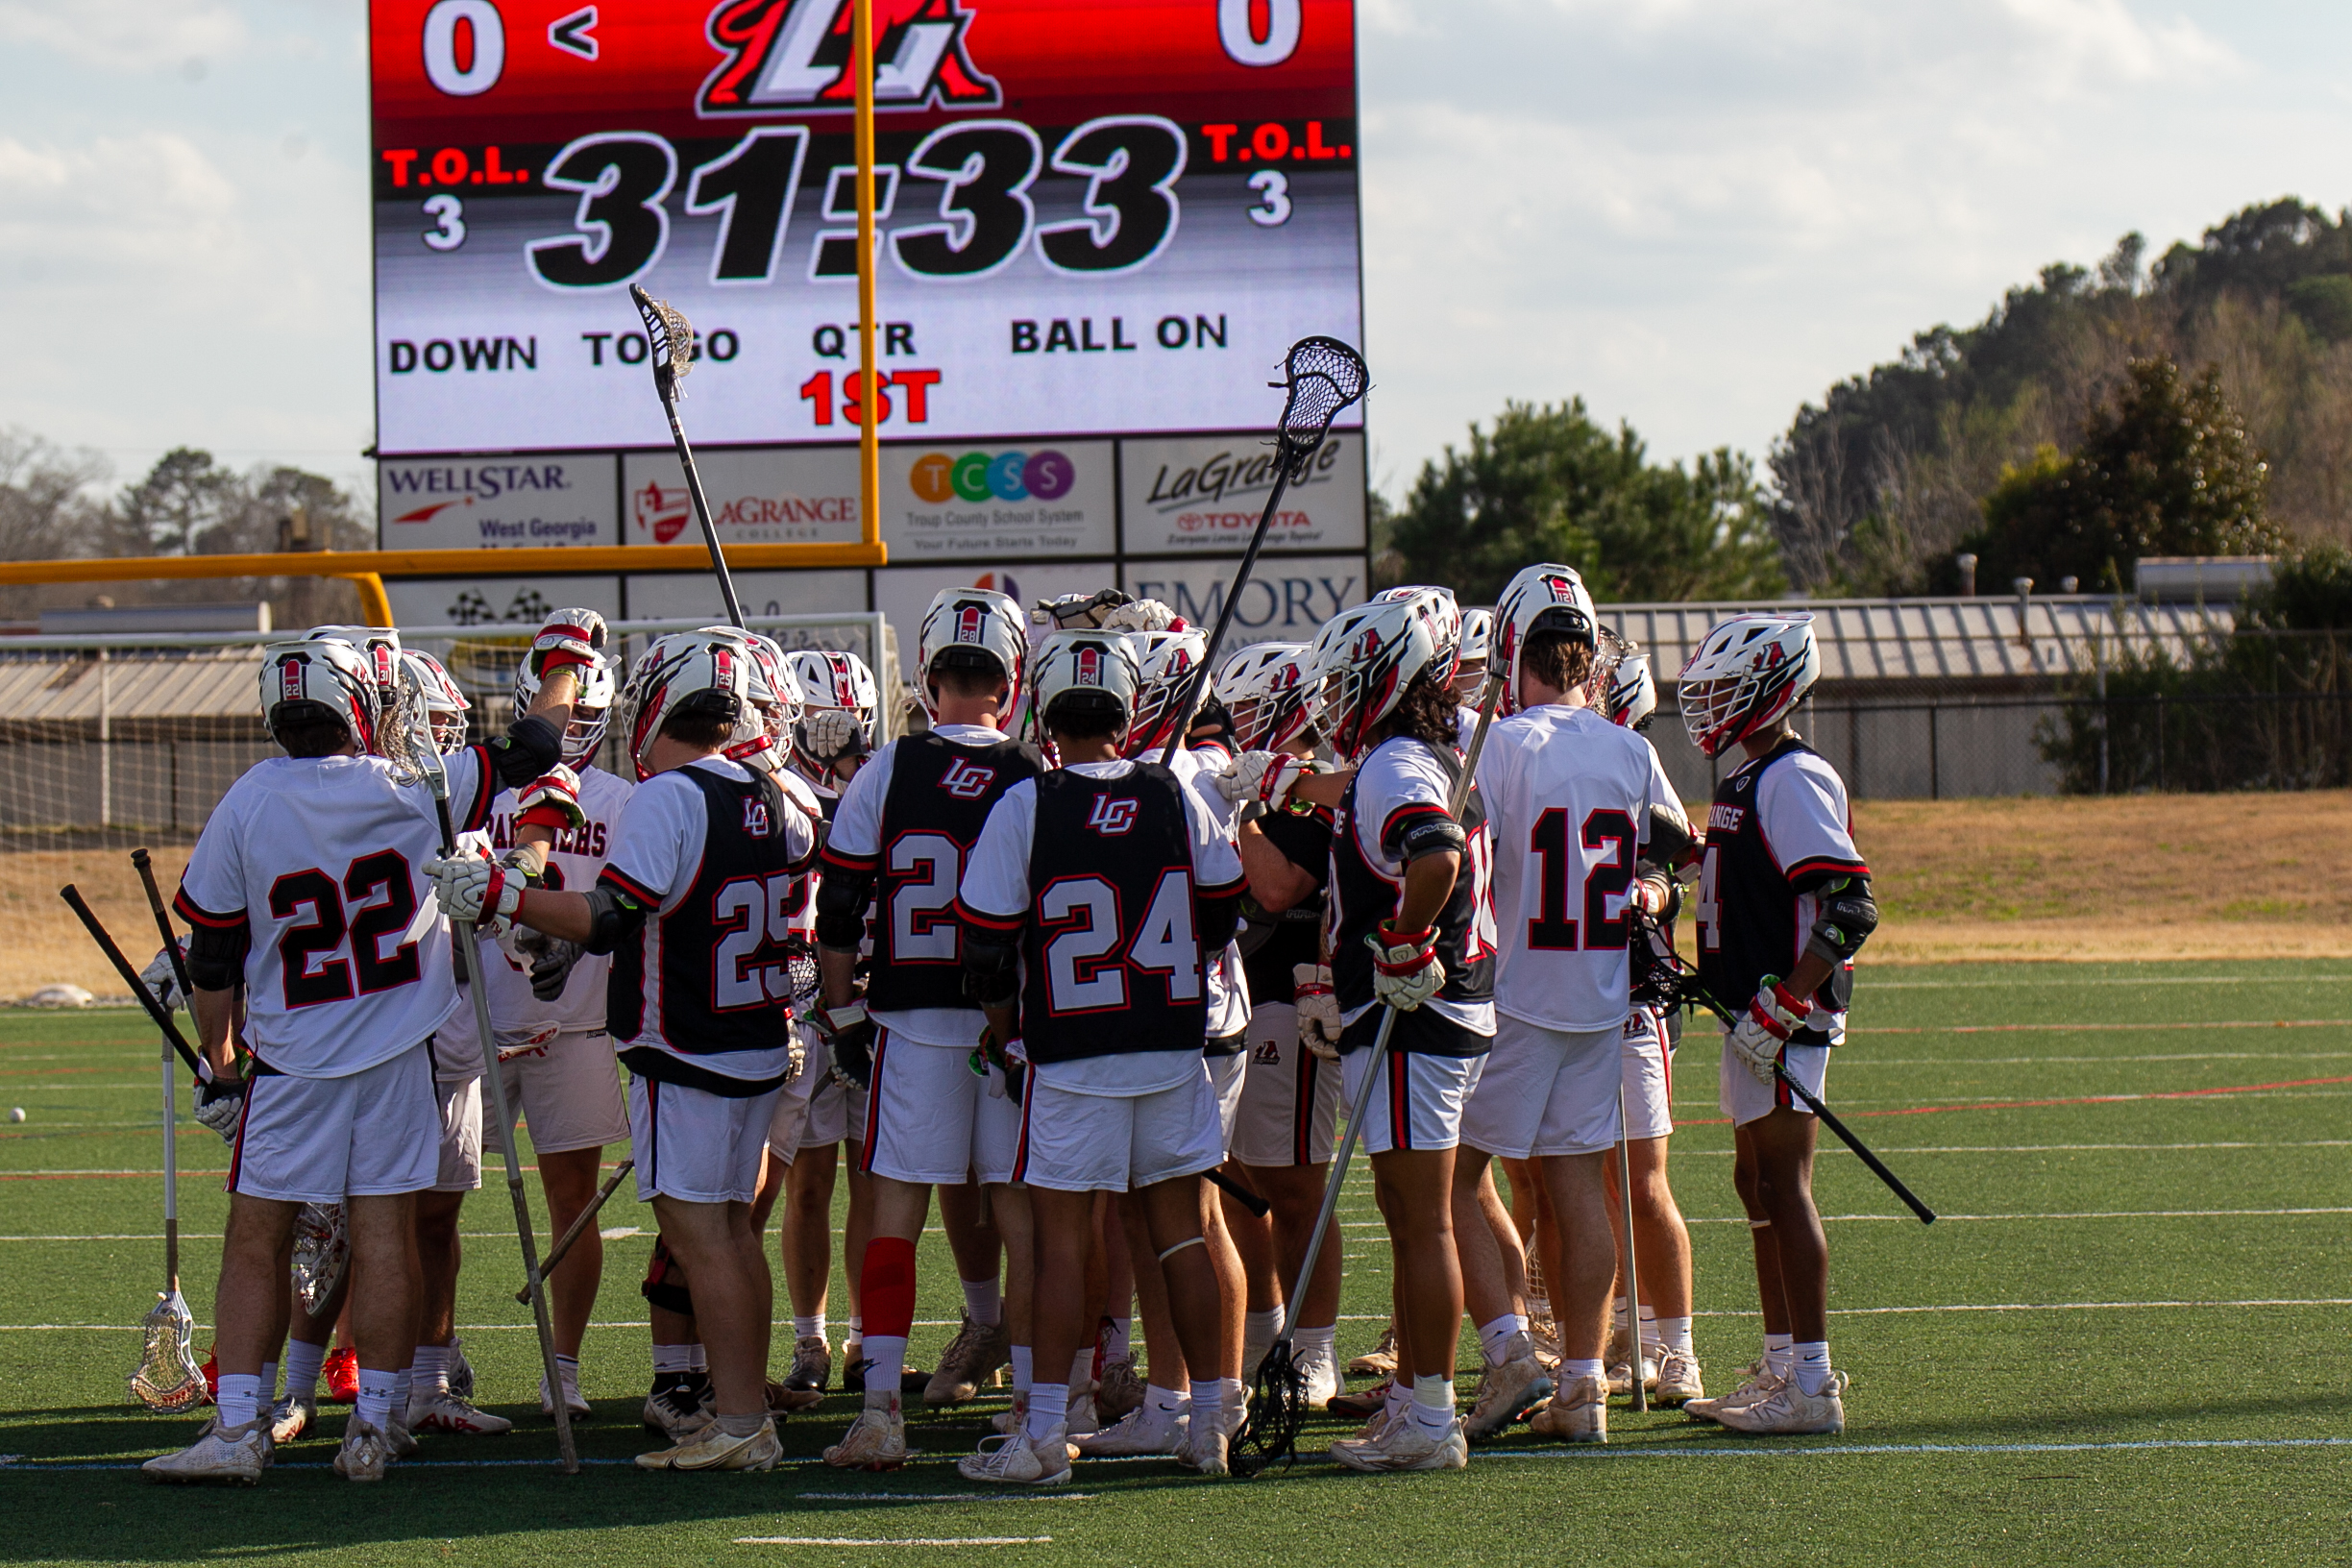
(933, 1120)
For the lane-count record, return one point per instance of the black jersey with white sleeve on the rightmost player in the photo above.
(1758, 885)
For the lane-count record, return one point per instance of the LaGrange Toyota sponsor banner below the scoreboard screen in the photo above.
(1208, 492)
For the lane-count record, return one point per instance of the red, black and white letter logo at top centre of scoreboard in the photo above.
(796, 55)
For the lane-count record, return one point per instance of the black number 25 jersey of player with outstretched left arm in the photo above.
(709, 977)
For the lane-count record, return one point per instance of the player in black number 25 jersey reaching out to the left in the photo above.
(690, 904)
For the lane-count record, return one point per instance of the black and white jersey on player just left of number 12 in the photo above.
(1368, 894)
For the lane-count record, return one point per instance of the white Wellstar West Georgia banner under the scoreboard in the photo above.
(495, 504)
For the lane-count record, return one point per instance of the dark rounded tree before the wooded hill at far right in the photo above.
(2167, 471)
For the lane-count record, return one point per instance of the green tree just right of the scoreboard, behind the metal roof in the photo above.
(1549, 485)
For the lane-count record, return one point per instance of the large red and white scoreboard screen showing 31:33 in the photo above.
(1095, 215)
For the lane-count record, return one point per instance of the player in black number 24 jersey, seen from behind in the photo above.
(1088, 906)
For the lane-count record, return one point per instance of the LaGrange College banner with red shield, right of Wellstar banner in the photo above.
(759, 497)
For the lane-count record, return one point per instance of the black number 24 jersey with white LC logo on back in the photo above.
(1111, 953)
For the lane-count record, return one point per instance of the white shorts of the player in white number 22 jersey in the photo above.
(319, 1141)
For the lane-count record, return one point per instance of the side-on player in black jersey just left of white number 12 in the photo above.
(1412, 932)
